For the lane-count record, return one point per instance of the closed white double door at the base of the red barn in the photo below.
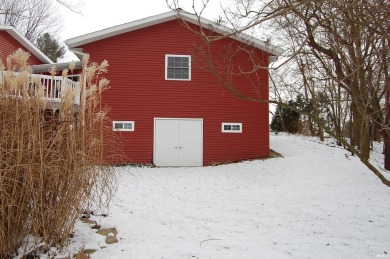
(178, 142)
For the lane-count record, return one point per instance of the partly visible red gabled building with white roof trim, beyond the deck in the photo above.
(11, 40)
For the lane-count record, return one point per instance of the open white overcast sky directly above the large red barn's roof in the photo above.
(97, 15)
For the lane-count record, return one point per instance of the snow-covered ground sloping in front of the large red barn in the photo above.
(314, 202)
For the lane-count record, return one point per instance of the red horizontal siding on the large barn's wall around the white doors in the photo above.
(140, 93)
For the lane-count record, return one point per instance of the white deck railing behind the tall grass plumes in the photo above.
(54, 87)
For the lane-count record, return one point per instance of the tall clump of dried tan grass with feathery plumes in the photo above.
(52, 164)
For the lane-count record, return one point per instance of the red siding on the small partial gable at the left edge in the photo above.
(8, 45)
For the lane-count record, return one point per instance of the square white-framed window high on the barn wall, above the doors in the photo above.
(177, 67)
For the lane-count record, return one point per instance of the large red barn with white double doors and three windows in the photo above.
(169, 110)
